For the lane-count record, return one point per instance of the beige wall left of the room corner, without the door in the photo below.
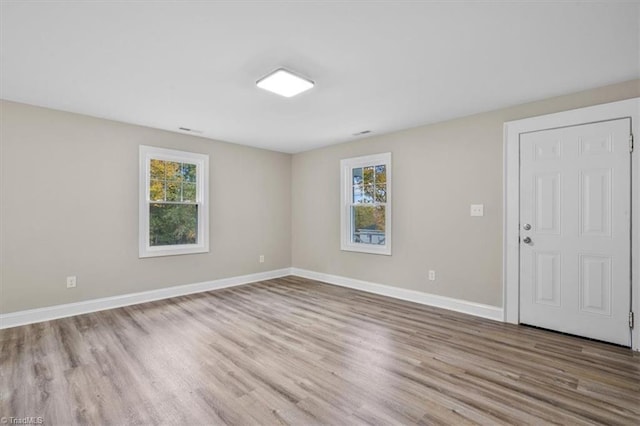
(69, 199)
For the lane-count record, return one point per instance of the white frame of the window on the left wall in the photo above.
(147, 153)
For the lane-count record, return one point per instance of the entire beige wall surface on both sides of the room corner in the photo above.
(69, 195)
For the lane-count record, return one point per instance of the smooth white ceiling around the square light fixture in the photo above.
(379, 66)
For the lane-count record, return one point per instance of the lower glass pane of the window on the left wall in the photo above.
(171, 224)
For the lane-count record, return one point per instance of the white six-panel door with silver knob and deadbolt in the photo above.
(575, 230)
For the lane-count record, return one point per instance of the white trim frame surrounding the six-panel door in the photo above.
(629, 108)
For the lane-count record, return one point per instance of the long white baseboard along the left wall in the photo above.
(31, 316)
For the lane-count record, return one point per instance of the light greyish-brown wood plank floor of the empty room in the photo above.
(294, 351)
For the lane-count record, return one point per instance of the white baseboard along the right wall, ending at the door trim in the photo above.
(471, 308)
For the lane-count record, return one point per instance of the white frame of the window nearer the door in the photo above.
(346, 201)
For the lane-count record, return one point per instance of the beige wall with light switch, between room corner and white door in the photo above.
(438, 171)
